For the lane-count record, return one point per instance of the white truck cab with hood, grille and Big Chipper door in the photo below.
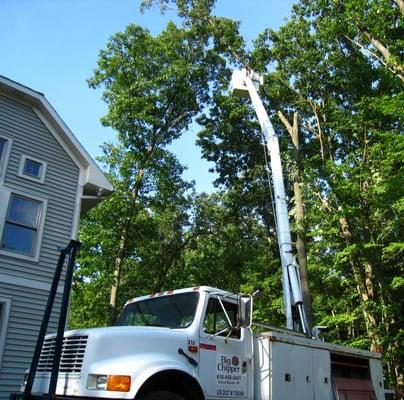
(182, 344)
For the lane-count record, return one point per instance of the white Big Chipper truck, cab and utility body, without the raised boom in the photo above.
(189, 344)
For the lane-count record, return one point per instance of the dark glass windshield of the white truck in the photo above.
(173, 311)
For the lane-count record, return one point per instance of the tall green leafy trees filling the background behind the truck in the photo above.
(335, 69)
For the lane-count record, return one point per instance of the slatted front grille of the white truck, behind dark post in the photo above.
(71, 360)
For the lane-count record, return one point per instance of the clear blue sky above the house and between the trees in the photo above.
(52, 46)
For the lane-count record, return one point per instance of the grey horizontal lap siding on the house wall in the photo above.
(32, 138)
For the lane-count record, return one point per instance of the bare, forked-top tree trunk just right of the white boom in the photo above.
(301, 239)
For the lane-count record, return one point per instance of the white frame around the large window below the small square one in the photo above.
(5, 197)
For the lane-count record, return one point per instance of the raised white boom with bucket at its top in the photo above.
(246, 82)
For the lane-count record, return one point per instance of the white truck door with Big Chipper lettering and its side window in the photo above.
(225, 367)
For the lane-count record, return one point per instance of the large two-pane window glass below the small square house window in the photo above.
(22, 225)
